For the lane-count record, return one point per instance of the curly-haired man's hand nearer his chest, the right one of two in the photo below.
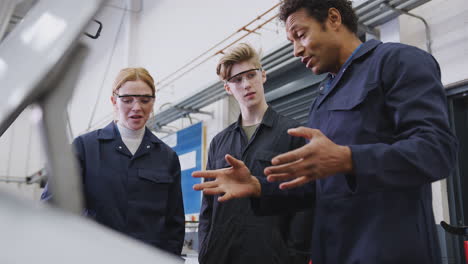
(318, 159)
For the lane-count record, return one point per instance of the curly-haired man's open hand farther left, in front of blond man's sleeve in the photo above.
(233, 182)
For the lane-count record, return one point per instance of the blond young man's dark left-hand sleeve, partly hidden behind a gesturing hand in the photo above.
(206, 209)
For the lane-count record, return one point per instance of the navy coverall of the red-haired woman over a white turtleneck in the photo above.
(139, 195)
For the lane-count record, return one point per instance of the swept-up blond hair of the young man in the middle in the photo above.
(240, 53)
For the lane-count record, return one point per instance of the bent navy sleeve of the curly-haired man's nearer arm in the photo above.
(424, 148)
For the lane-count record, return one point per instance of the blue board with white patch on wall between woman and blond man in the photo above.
(189, 149)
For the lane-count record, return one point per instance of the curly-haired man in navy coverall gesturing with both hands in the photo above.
(378, 137)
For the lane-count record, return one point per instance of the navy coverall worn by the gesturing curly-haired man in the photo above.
(388, 105)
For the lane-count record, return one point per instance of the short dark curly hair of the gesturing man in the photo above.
(318, 9)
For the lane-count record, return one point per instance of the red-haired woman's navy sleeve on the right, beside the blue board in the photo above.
(175, 216)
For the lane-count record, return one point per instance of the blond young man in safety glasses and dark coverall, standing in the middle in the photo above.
(230, 232)
